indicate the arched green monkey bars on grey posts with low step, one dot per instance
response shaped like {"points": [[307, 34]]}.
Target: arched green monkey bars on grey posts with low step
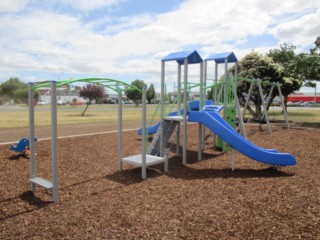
{"points": [[52, 185]]}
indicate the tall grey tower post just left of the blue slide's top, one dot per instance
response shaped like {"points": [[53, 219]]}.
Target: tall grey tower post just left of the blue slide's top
{"points": [[185, 110]]}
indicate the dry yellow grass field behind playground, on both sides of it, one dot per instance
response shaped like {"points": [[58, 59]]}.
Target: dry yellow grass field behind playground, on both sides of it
{"points": [[18, 117]]}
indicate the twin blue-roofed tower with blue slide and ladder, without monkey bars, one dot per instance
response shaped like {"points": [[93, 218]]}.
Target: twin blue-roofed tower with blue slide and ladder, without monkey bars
{"points": [[207, 115]]}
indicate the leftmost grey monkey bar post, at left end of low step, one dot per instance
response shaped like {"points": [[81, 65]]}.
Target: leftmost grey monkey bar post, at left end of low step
{"points": [[31, 133]]}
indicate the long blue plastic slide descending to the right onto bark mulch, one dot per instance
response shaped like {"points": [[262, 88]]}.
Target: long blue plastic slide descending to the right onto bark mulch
{"points": [[216, 124]]}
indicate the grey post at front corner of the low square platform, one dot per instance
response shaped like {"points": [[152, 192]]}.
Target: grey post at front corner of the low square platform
{"points": [[144, 141]]}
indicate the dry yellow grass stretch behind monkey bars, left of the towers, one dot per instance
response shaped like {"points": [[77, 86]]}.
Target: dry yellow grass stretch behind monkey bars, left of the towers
{"points": [[19, 117]]}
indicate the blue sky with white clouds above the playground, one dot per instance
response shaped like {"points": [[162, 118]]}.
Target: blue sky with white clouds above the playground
{"points": [[126, 39]]}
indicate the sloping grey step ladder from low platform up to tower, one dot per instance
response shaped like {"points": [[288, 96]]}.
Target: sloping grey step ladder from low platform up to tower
{"points": [[168, 127]]}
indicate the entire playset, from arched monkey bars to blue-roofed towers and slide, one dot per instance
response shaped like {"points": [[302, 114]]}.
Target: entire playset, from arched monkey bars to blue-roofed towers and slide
{"points": [[204, 113]]}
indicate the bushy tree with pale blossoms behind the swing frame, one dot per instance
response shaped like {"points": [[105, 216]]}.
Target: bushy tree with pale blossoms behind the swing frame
{"points": [[257, 66]]}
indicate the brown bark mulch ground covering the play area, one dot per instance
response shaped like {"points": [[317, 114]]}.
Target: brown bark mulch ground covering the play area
{"points": [[199, 200]]}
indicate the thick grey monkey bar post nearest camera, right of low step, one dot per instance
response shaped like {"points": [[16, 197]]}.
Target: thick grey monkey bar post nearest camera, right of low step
{"points": [[54, 142]]}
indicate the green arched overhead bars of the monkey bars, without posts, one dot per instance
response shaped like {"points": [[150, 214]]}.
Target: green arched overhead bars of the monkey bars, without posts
{"points": [[99, 81]]}
